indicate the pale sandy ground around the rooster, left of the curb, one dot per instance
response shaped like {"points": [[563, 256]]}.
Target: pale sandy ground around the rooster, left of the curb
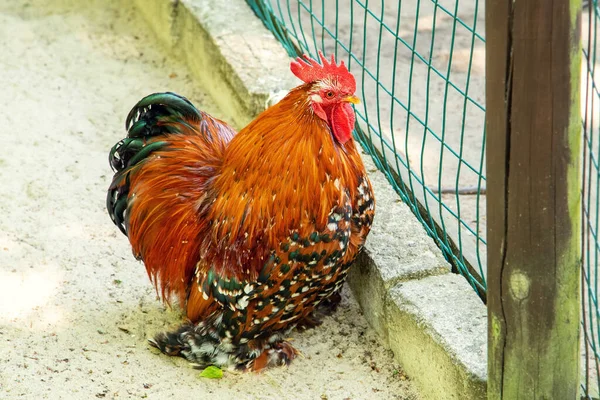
{"points": [[75, 307]]}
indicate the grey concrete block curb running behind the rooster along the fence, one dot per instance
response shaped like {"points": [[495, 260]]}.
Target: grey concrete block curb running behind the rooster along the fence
{"points": [[431, 319]]}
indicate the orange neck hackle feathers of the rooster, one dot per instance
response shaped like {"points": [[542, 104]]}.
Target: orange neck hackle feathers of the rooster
{"points": [[283, 172]]}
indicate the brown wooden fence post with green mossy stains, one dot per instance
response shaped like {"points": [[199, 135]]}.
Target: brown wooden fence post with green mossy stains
{"points": [[533, 198]]}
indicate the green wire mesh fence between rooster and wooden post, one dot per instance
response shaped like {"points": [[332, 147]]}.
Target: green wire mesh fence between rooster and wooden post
{"points": [[420, 71]]}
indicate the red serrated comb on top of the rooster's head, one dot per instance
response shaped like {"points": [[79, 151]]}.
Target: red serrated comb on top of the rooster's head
{"points": [[309, 70]]}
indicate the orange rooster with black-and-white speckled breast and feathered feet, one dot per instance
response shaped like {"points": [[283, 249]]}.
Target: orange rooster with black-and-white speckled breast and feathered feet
{"points": [[252, 232]]}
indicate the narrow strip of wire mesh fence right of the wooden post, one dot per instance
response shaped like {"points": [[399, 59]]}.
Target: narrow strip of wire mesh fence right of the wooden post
{"points": [[590, 97]]}
